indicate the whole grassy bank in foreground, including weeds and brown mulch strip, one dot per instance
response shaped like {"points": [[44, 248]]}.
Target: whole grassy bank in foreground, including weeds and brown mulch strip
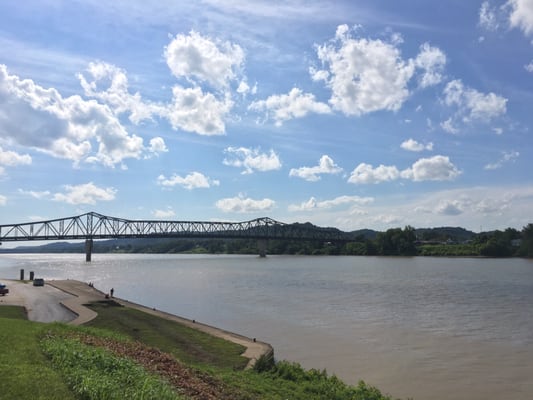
{"points": [[130, 354]]}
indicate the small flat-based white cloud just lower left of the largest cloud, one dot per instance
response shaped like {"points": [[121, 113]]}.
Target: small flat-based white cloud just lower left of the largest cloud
{"points": [[285, 107]]}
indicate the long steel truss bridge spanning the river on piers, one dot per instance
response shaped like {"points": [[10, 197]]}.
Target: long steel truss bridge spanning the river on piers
{"points": [[92, 226]]}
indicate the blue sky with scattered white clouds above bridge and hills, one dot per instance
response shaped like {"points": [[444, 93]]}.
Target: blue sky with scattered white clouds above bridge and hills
{"points": [[350, 114]]}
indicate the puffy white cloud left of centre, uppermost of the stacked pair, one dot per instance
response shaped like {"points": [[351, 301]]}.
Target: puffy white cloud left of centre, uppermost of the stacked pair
{"points": [[202, 59]]}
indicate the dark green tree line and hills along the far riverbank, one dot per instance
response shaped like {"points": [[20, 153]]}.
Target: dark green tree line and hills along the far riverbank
{"points": [[405, 241]]}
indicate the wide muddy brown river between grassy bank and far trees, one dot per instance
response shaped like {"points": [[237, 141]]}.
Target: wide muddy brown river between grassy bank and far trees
{"points": [[423, 328]]}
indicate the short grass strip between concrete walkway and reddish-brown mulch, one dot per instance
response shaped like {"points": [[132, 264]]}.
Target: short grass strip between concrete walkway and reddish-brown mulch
{"points": [[188, 345]]}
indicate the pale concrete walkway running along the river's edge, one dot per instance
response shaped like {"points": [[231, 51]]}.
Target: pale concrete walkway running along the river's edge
{"points": [[83, 294]]}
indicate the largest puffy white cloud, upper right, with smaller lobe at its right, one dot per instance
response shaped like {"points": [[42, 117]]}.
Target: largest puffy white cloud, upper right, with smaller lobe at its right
{"points": [[367, 75]]}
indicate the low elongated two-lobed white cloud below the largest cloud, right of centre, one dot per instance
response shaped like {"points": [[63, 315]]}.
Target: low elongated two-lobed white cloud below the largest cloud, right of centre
{"points": [[436, 168]]}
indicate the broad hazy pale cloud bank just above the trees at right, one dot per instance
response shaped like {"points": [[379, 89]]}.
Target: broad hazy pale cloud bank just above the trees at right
{"points": [[495, 207]]}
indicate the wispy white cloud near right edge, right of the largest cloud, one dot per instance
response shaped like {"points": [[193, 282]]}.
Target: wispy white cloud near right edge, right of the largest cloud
{"points": [[471, 105]]}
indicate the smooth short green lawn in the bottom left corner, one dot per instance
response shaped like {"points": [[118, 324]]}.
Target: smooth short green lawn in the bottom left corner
{"points": [[25, 373]]}
